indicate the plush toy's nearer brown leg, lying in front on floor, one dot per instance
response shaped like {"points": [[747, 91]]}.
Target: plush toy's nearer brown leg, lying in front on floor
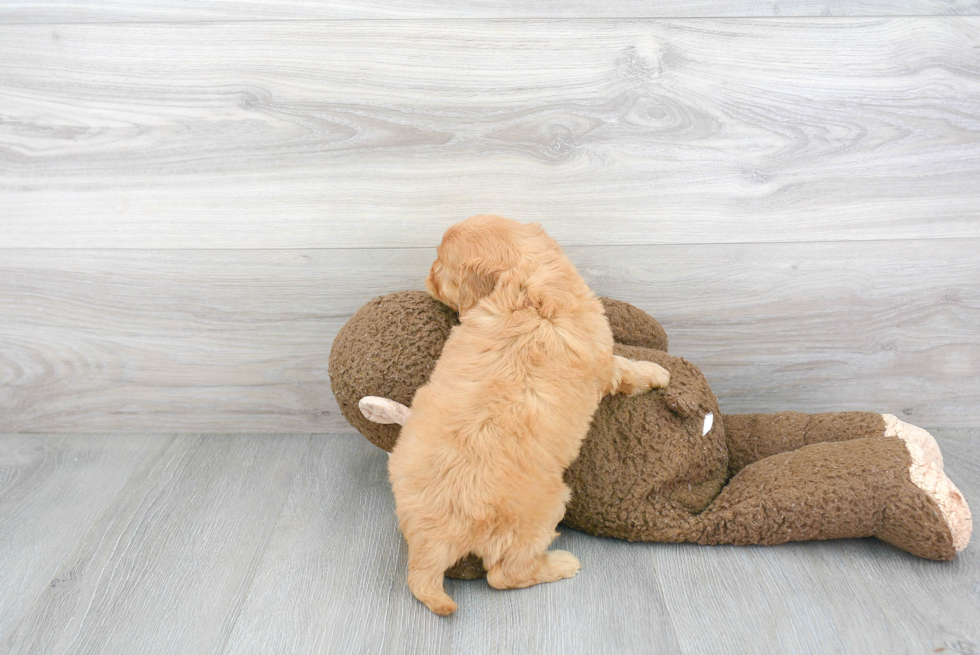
{"points": [[831, 490]]}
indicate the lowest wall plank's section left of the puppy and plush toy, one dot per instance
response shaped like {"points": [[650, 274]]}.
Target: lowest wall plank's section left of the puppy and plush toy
{"points": [[176, 340]]}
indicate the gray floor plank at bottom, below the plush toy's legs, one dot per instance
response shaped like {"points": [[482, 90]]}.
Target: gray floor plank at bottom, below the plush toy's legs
{"points": [[797, 598]]}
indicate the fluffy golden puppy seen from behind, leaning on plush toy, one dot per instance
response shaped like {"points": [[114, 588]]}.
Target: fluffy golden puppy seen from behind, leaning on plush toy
{"points": [[479, 463]]}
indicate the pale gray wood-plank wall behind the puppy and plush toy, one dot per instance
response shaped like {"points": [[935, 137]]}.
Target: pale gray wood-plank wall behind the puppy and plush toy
{"points": [[194, 196]]}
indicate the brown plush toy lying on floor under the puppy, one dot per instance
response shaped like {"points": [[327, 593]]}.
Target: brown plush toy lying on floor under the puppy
{"points": [[667, 465]]}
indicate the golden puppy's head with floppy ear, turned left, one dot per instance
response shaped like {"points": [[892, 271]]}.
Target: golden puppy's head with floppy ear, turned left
{"points": [[473, 256]]}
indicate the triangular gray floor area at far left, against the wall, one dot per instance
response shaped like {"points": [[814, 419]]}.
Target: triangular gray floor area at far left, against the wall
{"points": [[52, 490]]}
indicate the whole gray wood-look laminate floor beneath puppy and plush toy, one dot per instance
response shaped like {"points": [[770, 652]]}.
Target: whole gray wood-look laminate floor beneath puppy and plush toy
{"points": [[288, 544]]}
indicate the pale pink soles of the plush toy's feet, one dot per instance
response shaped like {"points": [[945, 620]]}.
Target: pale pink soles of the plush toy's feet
{"points": [[926, 473]]}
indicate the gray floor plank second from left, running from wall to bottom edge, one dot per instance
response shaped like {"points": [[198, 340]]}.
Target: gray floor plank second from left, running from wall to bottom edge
{"points": [[167, 566]]}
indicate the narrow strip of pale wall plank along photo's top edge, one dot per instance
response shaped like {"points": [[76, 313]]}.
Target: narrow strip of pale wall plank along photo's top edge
{"points": [[65, 11]]}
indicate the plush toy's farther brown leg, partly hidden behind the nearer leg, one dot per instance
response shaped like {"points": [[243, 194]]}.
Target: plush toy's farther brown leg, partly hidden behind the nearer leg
{"points": [[752, 437]]}
